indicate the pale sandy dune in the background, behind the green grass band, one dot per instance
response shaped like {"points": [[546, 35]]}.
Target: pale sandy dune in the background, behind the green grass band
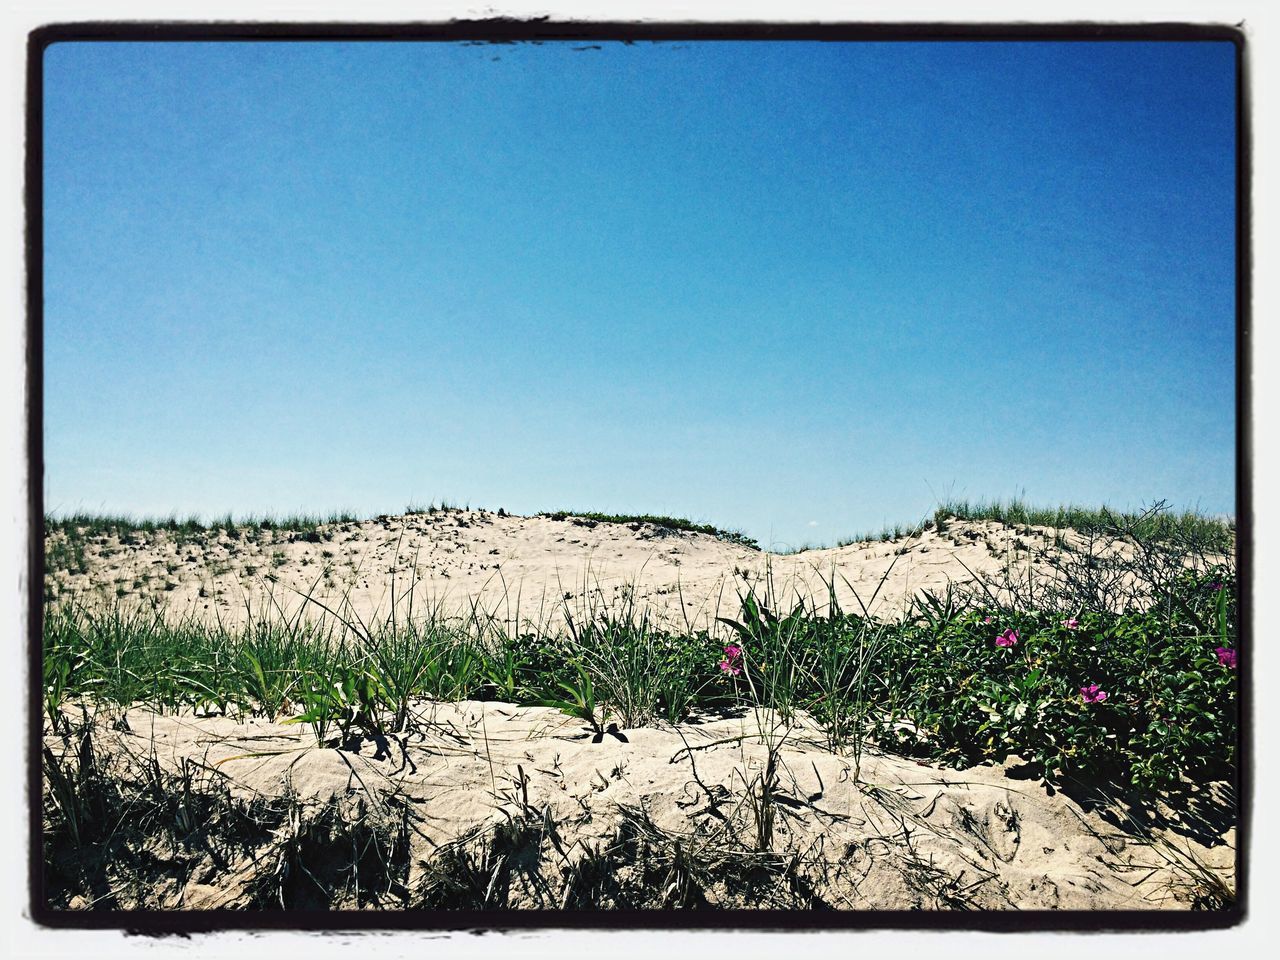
{"points": [[523, 569]]}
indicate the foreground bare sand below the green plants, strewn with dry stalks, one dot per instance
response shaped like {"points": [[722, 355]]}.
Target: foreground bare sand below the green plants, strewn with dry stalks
{"points": [[881, 834]]}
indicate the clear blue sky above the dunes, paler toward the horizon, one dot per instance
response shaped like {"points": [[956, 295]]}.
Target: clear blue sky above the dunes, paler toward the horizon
{"points": [[793, 289]]}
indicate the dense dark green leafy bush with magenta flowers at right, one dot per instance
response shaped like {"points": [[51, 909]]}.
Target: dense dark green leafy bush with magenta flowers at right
{"points": [[1171, 711]]}
